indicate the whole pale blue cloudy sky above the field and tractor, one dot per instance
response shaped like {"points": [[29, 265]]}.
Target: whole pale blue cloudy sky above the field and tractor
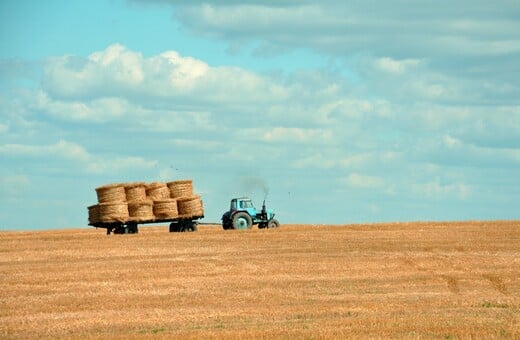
{"points": [[336, 112]]}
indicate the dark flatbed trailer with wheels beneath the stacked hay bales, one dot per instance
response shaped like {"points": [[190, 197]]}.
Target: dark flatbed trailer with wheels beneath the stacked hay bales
{"points": [[178, 224]]}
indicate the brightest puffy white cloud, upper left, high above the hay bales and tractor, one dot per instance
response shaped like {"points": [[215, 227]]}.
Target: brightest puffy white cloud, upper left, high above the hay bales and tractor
{"points": [[120, 73]]}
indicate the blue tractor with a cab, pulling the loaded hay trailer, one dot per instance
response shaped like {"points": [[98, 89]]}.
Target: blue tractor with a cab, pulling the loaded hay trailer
{"points": [[243, 215]]}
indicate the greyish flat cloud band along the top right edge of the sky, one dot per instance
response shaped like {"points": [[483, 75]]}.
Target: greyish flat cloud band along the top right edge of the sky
{"points": [[391, 29]]}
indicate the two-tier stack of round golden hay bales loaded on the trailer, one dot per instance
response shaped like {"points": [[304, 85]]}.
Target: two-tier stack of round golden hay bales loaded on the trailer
{"points": [[141, 202]]}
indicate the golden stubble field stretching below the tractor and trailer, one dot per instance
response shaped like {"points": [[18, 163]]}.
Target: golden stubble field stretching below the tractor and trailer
{"points": [[400, 280]]}
